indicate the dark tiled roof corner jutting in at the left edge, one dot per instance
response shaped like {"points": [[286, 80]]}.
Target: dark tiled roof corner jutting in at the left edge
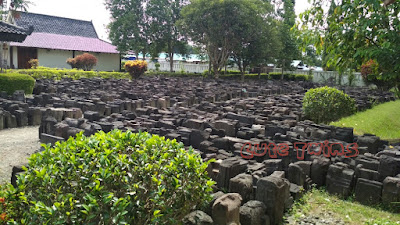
{"points": [[9, 32]]}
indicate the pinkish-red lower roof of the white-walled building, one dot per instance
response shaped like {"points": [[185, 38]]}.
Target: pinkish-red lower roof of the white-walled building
{"points": [[64, 42]]}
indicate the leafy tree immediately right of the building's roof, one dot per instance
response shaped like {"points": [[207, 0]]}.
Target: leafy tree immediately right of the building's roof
{"points": [[129, 25]]}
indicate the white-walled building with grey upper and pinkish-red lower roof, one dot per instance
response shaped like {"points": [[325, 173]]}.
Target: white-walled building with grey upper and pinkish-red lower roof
{"points": [[55, 39]]}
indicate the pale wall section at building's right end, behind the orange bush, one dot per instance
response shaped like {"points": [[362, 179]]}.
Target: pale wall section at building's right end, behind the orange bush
{"points": [[105, 61]]}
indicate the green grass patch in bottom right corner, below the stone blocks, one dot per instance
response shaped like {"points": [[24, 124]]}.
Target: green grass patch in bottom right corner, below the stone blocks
{"points": [[319, 201]]}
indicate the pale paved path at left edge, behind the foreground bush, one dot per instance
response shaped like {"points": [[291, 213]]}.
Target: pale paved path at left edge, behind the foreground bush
{"points": [[16, 145]]}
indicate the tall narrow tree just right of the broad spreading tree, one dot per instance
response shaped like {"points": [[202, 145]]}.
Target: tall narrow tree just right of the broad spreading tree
{"points": [[289, 50]]}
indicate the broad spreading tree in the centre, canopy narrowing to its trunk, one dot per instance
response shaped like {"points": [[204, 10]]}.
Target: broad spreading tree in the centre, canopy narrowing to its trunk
{"points": [[216, 25]]}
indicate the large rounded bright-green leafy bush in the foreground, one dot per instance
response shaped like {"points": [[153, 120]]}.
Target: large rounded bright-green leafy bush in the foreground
{"points": [[114, 178]]}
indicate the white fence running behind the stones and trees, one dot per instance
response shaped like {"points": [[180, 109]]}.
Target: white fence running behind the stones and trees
{"points": [[328, 77]]}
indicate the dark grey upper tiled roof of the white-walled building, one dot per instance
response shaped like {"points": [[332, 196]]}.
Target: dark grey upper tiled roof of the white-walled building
{"points": [[56, 25]]}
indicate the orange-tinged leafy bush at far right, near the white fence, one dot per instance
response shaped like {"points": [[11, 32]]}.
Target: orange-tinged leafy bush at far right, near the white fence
{"points": [[371, 74]]}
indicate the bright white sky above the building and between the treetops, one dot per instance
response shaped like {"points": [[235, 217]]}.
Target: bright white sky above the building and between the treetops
{"points": [[94, 10]]}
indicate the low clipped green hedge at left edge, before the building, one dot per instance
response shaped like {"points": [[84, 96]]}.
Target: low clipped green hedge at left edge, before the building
{"points": [[11, 82]]}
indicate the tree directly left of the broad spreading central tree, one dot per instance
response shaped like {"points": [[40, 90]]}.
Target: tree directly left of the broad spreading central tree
{"points": [[164, 15]]}
